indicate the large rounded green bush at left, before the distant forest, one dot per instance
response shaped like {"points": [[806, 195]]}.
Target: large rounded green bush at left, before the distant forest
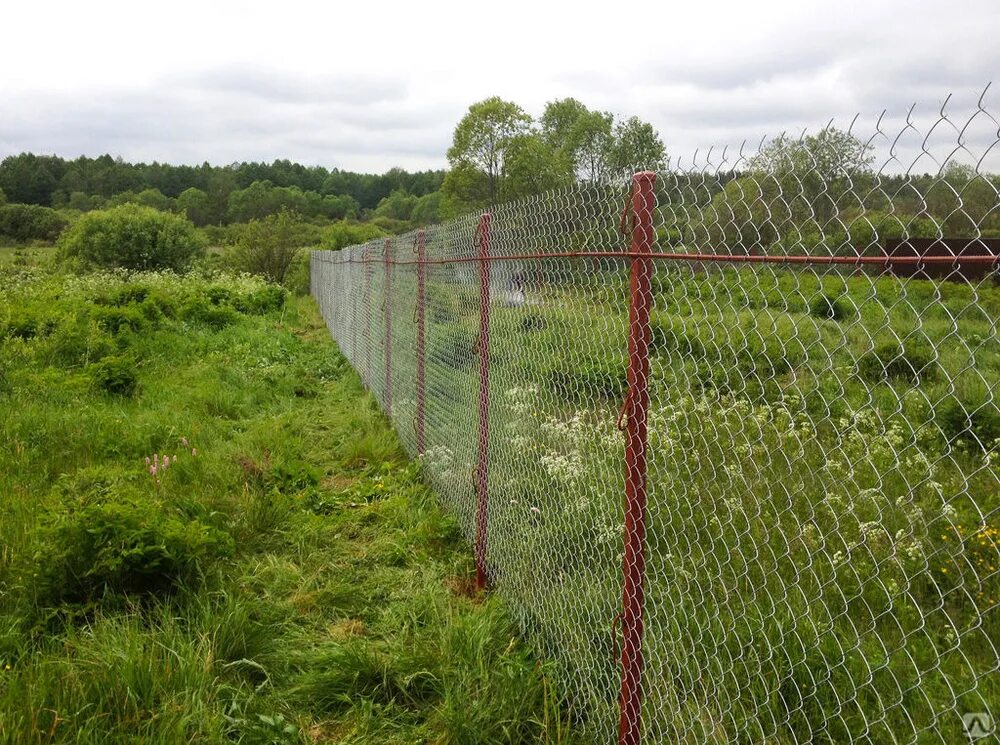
{"points": [[132, 237]]}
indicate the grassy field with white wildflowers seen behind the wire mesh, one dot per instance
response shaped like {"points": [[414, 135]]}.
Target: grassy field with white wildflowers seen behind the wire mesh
{"points": [[824, 522]]}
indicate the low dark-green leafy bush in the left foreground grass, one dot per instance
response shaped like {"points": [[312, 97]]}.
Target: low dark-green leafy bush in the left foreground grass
{"points": [[128, 546]]}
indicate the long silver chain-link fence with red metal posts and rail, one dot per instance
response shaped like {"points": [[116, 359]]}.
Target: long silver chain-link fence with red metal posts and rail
{"points": [[731, 454]]}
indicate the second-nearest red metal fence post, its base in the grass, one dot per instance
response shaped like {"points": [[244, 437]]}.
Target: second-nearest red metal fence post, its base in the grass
{"points": [[482, 467]]}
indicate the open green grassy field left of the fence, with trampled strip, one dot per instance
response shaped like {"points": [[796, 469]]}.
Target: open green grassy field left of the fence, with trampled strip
{"points": [[208, 533]]}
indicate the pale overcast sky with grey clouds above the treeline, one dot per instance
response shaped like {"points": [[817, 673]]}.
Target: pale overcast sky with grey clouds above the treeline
{"points": [[371, 85]]}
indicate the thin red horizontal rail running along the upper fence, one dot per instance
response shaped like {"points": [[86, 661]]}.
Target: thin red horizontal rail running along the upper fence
{"points": [[720, 258]]}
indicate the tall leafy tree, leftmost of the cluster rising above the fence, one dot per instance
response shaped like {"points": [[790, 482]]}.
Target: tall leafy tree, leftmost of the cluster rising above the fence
{"points": [[482, 140]]}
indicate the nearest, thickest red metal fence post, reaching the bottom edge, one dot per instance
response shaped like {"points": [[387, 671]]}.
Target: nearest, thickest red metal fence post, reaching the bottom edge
{"points": [[641, 207]]}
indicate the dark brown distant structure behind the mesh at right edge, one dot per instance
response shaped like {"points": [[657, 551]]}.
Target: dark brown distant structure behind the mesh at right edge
{"points": [[957, 271]]}
